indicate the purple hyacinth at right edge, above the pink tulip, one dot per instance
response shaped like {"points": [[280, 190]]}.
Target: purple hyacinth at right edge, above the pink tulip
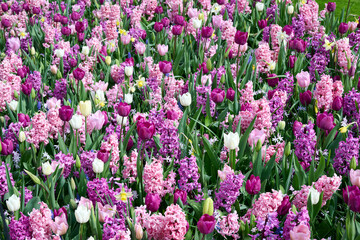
{"points": [[343, 155]]}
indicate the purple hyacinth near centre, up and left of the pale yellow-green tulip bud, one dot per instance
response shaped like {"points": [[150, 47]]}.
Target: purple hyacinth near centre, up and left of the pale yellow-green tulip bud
{"points": [[189, 176]]}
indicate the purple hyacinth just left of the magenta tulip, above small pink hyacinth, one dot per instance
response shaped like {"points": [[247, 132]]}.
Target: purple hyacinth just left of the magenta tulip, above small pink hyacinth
{"points": [[228, 191]]}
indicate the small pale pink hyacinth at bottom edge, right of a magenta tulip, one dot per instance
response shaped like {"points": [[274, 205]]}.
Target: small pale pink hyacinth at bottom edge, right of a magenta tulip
{"points": [[229, 226]]}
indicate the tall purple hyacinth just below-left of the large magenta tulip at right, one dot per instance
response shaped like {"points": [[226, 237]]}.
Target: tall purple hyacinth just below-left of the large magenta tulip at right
{"points": [[305, 144]]}
